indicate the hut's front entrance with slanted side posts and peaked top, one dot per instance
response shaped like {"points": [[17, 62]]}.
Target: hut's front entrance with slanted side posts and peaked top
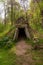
{"points": [[22, 30]]}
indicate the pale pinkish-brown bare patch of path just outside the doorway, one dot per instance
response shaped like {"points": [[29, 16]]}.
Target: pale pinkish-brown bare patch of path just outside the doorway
{"points": [[22, 47]]}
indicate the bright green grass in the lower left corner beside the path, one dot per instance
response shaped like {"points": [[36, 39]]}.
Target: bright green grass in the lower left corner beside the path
{"points": [[7, 58]]}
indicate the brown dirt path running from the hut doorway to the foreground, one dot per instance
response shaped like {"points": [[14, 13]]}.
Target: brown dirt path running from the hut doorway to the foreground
{"points": [[23, 53]]}
